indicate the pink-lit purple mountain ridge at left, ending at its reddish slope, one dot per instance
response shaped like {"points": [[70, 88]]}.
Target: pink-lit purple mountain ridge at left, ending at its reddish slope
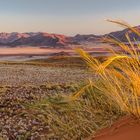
{"points": [[34, 39]]}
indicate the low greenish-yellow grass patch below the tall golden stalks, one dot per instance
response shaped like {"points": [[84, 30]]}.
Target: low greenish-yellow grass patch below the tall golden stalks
{"points": [[72, 117]]}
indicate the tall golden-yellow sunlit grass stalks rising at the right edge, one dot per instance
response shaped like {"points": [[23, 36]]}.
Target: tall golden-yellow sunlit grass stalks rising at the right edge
{"points": [[119, 75]]}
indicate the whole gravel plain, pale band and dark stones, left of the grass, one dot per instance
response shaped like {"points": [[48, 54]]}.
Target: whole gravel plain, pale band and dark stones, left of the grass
{"points": [[23, 84]]}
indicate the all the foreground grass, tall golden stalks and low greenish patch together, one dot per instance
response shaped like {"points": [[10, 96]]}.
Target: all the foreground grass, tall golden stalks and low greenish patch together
{"points": [[112, 93]]}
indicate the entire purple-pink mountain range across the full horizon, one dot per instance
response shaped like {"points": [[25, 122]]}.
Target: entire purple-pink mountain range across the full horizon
{"points": [[56, 40]]}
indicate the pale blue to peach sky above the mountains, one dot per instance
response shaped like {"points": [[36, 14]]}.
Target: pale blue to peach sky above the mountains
{"points": [[67, 17]]}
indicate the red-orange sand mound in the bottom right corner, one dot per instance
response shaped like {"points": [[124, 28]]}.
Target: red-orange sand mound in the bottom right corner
{"points": [[127, 128]]}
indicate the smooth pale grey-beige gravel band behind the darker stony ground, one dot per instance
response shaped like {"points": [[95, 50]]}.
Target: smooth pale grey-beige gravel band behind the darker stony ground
{"points": [[16, 75]]}
